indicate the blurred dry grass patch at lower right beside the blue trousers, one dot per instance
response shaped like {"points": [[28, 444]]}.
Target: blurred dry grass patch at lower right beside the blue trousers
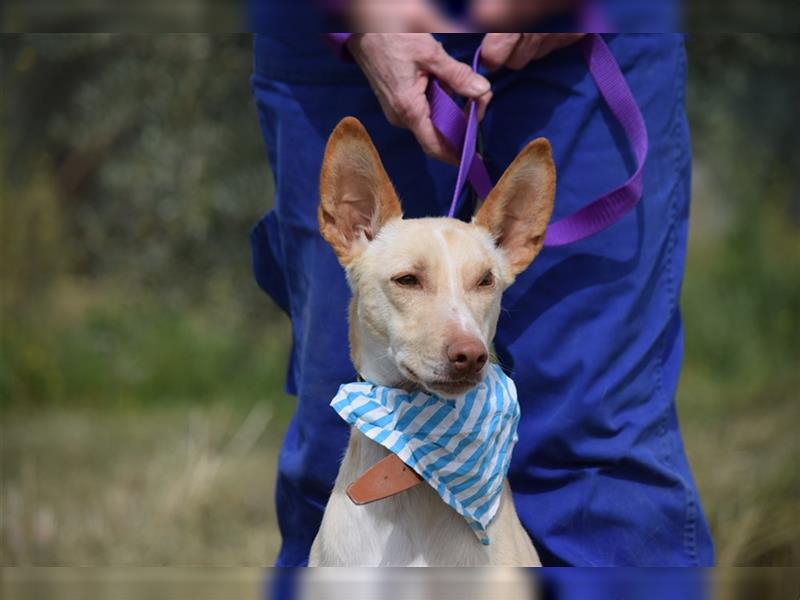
{"points": [[747, 467]]}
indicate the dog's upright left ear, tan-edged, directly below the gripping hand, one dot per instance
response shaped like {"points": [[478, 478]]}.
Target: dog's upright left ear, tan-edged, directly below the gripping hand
{"points": [[356, 196]]}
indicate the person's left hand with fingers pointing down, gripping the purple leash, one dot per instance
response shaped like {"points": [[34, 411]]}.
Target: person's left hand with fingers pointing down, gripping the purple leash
{"points": [[398, 68]]}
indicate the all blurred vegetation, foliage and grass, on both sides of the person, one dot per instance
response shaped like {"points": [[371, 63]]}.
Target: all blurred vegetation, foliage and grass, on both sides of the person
{"points": [[141, 370]]}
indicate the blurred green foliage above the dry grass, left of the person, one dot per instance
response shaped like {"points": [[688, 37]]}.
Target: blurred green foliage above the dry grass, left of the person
{"points": [[132, 171]]}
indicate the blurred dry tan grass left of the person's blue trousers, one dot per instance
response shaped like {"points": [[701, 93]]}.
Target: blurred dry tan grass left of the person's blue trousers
{"points": [[177, 486]]}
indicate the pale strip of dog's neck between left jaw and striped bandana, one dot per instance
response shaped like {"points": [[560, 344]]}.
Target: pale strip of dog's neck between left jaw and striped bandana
{"points": [[371, 356]]}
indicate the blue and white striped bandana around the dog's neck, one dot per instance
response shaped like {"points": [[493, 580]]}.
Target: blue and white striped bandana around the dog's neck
{"points": [[460, 445]]}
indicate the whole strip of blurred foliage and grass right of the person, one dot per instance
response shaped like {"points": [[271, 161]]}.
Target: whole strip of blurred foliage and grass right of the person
{"points": [[738, 399]]}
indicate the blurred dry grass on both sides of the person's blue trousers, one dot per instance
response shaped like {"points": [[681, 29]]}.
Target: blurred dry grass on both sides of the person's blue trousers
{"points": [[194, 485]]}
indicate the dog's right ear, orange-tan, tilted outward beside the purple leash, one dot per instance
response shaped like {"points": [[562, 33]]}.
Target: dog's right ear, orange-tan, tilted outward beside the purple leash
{"points": [[517, 210]]}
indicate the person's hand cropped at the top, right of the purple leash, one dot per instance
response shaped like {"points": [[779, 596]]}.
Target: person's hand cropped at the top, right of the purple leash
{"points": [[516, 50]]}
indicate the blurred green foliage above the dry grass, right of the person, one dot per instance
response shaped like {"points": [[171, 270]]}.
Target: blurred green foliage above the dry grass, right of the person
{"points": [[741, 296]]}
